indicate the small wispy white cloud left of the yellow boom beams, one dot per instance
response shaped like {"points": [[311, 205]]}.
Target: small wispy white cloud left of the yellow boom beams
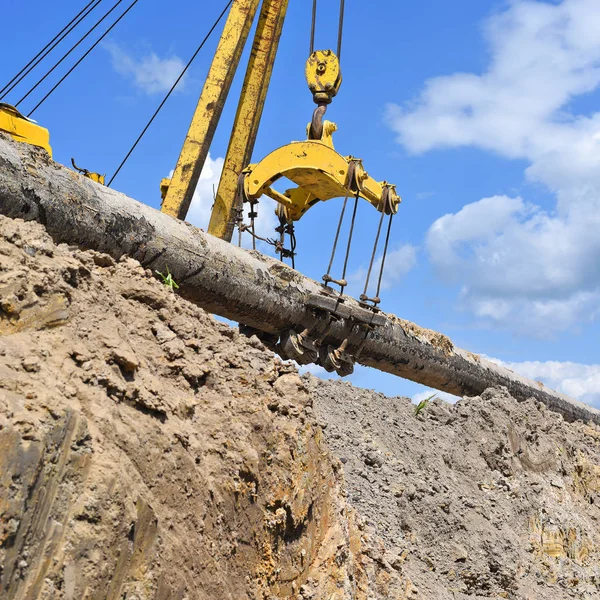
{"points": [[149, 73]]}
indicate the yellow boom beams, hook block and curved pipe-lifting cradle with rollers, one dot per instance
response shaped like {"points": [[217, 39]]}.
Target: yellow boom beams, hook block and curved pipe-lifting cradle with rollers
{"points": [[318, 170]]}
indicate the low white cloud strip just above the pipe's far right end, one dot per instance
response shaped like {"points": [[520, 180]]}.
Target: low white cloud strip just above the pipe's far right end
{"points": [[576, 380]]}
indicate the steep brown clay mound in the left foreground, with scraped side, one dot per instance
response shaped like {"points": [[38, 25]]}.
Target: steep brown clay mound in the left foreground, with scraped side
{"points": [[149, 452]]}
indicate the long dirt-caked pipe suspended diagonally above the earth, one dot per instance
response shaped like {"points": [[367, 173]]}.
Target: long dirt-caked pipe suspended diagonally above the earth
{"points": [[244, 286]]}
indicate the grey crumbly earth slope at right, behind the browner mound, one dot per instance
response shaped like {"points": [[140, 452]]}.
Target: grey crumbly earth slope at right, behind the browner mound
{"points": [[488, 498]]}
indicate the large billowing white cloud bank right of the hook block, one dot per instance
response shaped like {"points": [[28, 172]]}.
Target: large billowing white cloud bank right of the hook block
{"points": [[517, 263]]}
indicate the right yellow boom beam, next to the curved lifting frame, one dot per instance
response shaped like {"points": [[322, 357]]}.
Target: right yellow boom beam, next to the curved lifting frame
{"points": [[247, 118]]}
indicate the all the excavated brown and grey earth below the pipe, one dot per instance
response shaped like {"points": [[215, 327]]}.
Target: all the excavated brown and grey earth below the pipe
{"points": [[149, 452]]}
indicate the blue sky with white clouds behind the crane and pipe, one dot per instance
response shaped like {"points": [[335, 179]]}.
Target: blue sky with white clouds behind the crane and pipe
{"points": [[483, 113]]}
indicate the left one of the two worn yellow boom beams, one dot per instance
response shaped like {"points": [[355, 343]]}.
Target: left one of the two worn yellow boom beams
{"points": [[210, 105]]}
